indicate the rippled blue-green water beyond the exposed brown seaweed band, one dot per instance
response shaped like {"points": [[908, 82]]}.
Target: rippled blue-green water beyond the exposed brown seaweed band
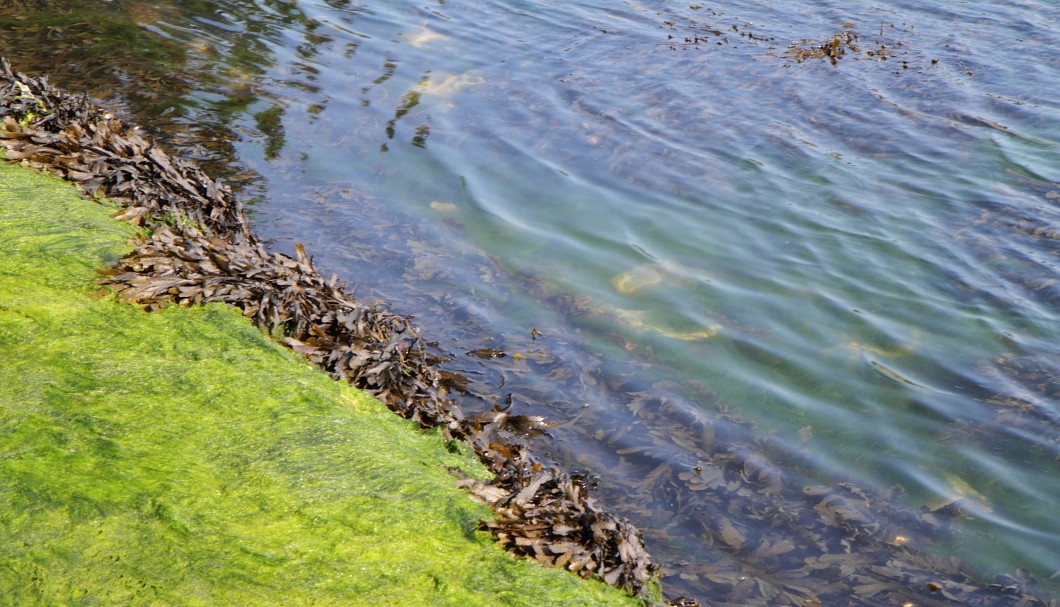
{"points": [[810, 245]]}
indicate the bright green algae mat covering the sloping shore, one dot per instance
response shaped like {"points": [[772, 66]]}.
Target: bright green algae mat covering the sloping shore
{"points": [[182, 458]]}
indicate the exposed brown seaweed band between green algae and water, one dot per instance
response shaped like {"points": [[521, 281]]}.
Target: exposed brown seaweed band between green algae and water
{"points": [[201, 249]]}
